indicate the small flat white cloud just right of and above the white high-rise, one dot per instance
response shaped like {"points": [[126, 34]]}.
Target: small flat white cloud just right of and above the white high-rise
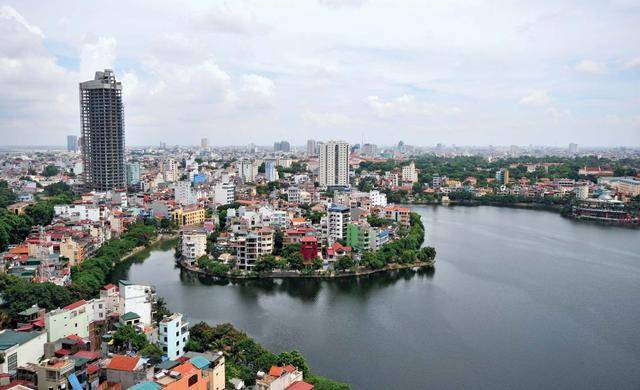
{"points": [[407, 105]]}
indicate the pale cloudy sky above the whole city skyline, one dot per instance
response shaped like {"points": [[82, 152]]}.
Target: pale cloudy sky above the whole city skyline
{"points": [[455, 72]]}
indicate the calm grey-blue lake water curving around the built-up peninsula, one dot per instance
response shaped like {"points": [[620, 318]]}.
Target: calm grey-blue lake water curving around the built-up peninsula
{"points": [[519, 299]]}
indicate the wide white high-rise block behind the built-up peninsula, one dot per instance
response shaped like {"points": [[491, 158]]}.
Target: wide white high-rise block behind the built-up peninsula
{"points": [[334, 164]]}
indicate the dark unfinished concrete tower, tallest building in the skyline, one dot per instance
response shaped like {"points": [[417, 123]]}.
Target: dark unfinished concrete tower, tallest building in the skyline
{"points": [[102, 122]]}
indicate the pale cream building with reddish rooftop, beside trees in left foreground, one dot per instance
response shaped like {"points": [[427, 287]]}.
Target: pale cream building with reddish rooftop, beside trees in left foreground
{"points": [[73, 319]]}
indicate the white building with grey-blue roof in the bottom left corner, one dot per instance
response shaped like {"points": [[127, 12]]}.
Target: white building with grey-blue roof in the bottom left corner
{"points": [[19, 348]]}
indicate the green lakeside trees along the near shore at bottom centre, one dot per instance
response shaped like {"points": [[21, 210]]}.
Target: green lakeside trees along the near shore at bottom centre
{"points": [[244, 356]]}
